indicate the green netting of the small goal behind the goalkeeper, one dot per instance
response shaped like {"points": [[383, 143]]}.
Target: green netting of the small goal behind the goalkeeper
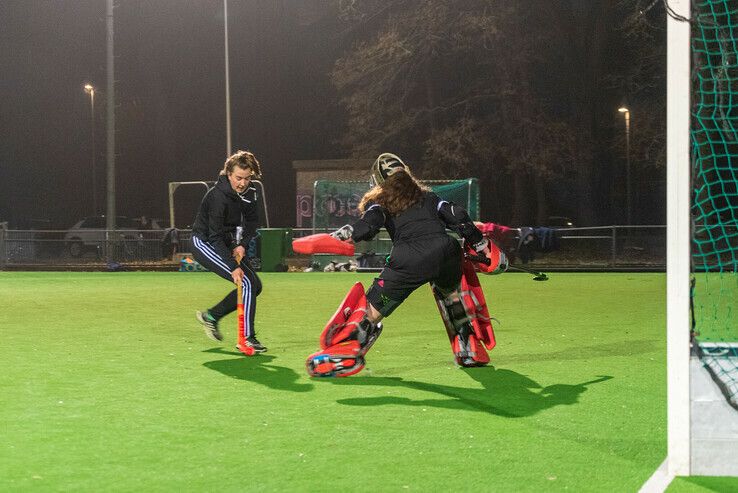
{"points": [[336, 202]]}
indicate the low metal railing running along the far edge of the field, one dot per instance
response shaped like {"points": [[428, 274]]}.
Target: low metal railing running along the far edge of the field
{"points": [[595, 248]]}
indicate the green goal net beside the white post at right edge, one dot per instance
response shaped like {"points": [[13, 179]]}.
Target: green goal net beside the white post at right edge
{"points": [[715, 185]]}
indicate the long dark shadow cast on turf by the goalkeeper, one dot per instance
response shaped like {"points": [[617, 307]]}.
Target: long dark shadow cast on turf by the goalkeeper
{"points": [[503, 393]]}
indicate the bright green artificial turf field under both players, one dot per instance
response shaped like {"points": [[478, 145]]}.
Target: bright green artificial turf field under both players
{"points": [[108, 383]]}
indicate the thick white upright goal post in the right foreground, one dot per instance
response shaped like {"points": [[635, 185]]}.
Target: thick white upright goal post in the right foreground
{"points": [[678, 251]]}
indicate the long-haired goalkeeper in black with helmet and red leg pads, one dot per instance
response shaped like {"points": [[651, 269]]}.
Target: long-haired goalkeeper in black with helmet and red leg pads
{"points": [[422, 252]]}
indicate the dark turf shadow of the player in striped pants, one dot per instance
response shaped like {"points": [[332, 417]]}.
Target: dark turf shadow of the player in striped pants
{"points": [[258, 369]]}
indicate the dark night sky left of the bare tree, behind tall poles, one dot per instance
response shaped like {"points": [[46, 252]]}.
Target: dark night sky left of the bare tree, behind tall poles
{"points": [[170, 115]]}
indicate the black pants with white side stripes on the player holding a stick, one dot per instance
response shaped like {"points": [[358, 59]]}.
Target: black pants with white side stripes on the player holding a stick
{"points": [[206, 255]]}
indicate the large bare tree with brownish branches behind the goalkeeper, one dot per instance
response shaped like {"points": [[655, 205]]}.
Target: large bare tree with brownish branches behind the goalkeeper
{"points": [[519, 94]]}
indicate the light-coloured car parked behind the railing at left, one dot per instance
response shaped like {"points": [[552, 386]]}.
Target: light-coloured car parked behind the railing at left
{"points": [[88, 234]]}
